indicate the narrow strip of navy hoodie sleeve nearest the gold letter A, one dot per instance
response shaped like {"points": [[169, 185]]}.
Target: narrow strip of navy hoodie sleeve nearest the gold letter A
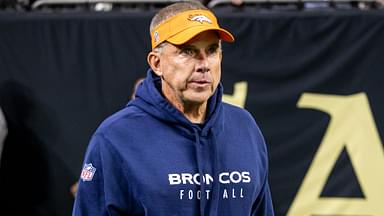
{"points": [[263, 204]]}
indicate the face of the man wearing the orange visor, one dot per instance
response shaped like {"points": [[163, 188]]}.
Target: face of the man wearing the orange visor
{"points": [[191, 72]]}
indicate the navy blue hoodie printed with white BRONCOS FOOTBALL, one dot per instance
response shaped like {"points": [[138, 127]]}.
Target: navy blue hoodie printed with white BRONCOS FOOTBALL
{"points": [[149, 159]]}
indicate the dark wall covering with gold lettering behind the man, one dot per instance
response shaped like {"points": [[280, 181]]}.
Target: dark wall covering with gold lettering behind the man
{"points": [[313, 83]]}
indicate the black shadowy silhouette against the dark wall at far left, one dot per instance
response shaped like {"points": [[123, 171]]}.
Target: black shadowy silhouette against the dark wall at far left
{"points": [[24, 175]]}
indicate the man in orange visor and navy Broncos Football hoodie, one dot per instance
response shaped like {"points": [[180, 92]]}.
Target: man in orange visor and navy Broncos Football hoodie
{"points": [[176, 149]]}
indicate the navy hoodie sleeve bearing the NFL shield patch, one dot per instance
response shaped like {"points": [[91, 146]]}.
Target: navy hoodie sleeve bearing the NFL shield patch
{"points": [[101, 188]]}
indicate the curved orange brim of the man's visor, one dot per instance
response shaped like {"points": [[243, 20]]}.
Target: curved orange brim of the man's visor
{"points": [[187, 34]]}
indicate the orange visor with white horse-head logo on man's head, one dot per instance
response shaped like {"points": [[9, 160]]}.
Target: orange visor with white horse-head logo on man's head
{"points": [[185, 25]]}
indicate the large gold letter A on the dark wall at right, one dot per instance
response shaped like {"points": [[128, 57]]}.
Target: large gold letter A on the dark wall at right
{"points": [[351, 126]]}
